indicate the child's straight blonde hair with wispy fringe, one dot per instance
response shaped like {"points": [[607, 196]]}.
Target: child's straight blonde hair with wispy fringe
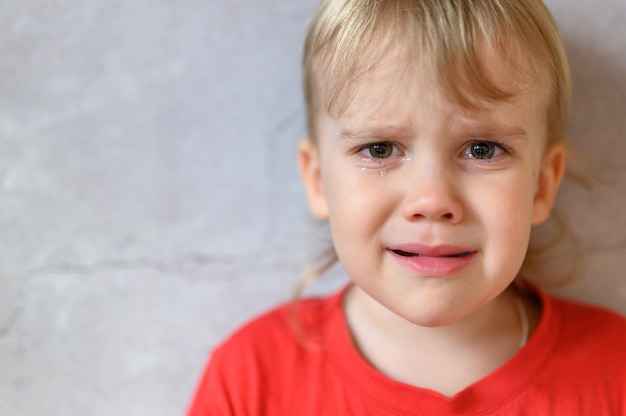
{"points": [[348, 37]]}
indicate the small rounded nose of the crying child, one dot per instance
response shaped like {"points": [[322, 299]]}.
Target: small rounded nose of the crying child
{"points": [[431, 196]]}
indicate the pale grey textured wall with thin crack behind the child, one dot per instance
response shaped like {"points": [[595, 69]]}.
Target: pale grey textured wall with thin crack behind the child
{"points": [[149, 199]]}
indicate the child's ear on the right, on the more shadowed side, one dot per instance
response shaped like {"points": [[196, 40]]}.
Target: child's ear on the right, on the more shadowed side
{"points": [[548, 181]]}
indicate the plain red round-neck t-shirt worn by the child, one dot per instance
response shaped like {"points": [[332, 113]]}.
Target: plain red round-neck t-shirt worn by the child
{"points": [[574, 364]]}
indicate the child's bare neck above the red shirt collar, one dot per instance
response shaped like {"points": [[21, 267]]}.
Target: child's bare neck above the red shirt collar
{"points": [[443, 358]]}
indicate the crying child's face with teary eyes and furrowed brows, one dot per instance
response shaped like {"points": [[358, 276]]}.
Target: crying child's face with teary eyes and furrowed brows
{"points": [[431, 204]]}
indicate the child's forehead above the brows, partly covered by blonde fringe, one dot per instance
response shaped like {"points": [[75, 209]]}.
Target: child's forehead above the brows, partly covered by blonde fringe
{"points": [[387, 78]]}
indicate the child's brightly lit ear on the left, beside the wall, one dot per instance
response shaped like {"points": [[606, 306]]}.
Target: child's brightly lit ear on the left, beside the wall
{"points": [[310, 171]]}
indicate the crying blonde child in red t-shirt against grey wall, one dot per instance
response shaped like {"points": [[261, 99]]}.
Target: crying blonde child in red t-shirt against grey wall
{"points": [[436, 143]]}
